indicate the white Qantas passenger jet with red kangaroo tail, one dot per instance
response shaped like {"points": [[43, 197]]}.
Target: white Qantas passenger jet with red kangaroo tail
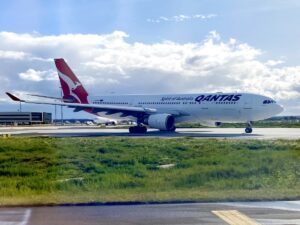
{"points": [[163, 111]]}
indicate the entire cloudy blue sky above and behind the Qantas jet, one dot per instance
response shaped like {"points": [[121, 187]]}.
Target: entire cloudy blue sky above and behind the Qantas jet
{"points": [[143, 46]]}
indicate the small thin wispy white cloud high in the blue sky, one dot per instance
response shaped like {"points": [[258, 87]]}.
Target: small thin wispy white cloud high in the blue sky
{"points": [[181, 18]]}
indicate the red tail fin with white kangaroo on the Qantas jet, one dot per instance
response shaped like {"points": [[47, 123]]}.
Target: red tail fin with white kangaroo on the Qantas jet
{"points": [[71, 86]]}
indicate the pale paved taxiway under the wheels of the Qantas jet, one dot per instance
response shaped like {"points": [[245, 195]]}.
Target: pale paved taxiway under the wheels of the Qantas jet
{"points": [[233, 133]]}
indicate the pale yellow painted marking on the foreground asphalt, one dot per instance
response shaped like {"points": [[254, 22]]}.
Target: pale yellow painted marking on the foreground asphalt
{"points": [[234, 217]]}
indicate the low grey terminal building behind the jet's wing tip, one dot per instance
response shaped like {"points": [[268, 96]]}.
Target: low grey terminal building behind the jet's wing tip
{"points": [[25, 118]]}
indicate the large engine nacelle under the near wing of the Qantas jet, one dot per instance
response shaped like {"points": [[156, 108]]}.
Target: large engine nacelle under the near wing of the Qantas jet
{"points": [[161, 121]]}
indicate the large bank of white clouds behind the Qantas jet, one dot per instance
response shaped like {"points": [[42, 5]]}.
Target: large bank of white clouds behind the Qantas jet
{"points": [[109, 63]]}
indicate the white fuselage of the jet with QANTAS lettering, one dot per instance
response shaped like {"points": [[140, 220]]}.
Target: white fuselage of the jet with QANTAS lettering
{"points": [[217, 107]]}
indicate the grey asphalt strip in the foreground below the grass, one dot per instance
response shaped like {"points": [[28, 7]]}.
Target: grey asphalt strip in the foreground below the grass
{"points": [[250, 213]]}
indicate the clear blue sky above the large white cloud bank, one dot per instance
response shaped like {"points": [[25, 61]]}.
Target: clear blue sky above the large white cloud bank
{"points": [[272, 25]]}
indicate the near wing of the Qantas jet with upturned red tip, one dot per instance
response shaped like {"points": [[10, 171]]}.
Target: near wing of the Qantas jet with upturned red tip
{"points": [[94, 108]]}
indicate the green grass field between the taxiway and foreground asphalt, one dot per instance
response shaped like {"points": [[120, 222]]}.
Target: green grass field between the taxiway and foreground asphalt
{"points": [[112, 169]]}
